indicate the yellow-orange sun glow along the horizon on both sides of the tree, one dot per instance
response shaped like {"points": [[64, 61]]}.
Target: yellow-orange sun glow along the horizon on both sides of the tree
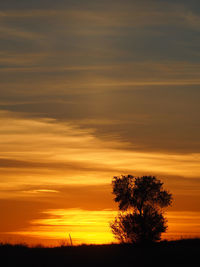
{"points": [[92, 227]]}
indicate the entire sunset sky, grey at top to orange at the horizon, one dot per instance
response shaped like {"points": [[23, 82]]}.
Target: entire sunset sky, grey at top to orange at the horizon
{"points": [[90, 90]]}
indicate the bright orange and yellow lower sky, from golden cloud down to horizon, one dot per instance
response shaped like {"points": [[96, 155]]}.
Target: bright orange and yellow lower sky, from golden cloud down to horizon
{"points": [[56, 180]]}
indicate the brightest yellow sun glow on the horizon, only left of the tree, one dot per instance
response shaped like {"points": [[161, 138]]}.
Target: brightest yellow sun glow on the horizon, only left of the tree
{"points": [[84, 226]]}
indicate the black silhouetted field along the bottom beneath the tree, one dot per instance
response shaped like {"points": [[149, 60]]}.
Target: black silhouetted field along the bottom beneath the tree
{"points": [[165, 253]]}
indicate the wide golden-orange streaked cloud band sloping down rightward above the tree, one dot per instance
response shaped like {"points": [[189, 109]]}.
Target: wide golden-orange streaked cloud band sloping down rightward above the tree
{"points": [[41, 151]]}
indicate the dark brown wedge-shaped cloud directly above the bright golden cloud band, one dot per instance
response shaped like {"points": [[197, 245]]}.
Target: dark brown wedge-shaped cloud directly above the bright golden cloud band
{"points": [[159, 119]]}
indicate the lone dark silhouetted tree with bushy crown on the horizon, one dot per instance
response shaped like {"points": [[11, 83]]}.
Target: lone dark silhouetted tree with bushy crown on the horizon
{"points": [[141, 202]]}
